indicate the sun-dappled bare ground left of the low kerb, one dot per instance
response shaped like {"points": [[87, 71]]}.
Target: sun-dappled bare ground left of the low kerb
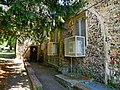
{"points": [[14, 75]]}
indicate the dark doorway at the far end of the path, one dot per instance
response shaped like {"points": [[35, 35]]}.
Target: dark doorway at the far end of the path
{"points": [[33, 53]]}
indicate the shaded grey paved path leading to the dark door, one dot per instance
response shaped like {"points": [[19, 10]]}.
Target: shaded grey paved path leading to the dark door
{"points": [[46, 75]]}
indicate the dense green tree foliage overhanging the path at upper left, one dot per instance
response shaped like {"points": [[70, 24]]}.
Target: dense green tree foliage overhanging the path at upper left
{"points": [[32, 18]]}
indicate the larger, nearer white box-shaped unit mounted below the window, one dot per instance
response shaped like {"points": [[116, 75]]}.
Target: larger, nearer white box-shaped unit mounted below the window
{"points": [[75, 46]]}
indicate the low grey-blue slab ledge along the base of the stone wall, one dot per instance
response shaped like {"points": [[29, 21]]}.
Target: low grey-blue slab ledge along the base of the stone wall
{"points": [[80, 84]]}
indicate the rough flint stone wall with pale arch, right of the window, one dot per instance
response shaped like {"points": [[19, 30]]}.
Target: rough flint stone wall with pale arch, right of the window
{"points": [[103, 40]]}
